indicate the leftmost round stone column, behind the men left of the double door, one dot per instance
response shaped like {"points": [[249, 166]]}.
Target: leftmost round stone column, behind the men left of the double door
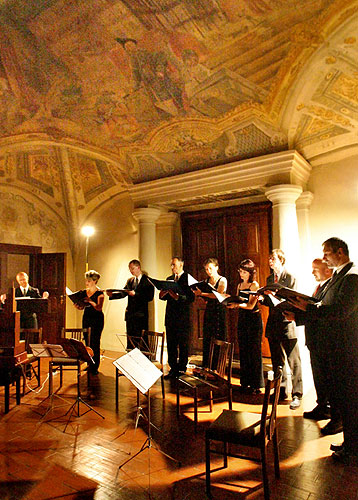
{"points": [[147, 218]]}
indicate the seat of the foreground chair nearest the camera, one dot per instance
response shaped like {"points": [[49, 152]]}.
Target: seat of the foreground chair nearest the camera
{"points": [[238, 427]]}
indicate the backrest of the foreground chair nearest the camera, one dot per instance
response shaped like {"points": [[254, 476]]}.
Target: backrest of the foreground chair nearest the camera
{"points": [[268, 419]]}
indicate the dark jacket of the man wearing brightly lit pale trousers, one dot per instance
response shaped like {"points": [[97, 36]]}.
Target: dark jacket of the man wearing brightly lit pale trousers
{"points": [[277, 326]]}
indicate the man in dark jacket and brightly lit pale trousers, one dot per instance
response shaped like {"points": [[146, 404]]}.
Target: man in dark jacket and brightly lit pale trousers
{"points": [[281, 333]]}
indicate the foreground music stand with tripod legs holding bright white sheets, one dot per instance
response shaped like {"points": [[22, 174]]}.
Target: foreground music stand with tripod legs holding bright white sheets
{"points": [[139, 370]]}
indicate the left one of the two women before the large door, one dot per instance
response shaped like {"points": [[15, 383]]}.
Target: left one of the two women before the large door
{"points": [[214, 317]]}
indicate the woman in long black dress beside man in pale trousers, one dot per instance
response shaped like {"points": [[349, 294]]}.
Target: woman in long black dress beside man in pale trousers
{"points": [[249, 330]]}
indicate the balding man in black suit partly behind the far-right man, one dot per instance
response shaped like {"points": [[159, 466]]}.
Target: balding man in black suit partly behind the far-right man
{"points": [[322, 410]]}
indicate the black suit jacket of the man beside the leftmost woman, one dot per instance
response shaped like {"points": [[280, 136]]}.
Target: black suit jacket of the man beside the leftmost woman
{"points": [[137, 306]]}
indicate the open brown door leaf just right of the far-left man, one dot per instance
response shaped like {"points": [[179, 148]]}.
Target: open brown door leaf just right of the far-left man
{"points": [[48, 273]]}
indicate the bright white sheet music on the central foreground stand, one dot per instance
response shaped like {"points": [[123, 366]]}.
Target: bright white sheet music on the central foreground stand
{"points": [[138, 369]]}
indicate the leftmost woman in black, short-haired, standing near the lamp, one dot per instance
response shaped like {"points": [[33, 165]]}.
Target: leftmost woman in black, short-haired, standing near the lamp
{"points": [[93, 316]]}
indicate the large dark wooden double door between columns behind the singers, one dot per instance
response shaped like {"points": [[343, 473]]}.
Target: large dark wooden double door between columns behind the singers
{"points": [[231, 235]]}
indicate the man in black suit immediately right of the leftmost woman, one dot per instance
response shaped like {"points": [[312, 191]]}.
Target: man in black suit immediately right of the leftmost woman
{"points": [[140, 292]]}
